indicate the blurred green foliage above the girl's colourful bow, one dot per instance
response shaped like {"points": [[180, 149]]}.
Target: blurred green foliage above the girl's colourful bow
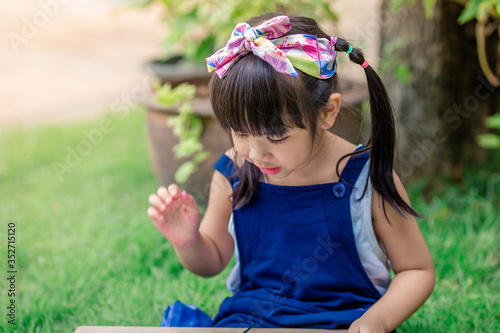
{"points": [[197, 28]]}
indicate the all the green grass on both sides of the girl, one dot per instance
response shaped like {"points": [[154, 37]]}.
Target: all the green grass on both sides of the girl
{"points": [[88, 255]]}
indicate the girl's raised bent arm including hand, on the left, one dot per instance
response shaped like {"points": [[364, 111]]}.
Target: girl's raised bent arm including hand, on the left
{"points": [[204, 249]]}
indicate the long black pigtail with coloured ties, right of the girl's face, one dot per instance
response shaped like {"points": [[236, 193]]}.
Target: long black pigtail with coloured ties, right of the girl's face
{"points": [[383, 135]]}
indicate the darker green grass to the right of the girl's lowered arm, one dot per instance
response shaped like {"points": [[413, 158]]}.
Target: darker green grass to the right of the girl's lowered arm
{"points": [[463, 232]]}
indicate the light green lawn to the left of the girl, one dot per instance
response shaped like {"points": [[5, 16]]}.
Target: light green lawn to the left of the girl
{"points": [[87, 254]]}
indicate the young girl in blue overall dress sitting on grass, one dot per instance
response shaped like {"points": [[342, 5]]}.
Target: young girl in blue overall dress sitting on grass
{"points": [[315, 222]]}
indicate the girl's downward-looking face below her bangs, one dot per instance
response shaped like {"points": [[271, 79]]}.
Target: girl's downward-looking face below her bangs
{"points": [[277, 157]]}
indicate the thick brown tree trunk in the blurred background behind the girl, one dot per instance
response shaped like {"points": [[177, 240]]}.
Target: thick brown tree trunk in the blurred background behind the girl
{"points": [[442, 106]]}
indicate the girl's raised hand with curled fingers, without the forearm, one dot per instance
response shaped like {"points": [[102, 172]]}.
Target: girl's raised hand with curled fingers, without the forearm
{"points": [[175, 214]]}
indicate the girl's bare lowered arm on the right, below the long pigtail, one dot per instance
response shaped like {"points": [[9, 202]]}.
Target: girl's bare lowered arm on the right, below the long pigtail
{"points": [[412, 264]]}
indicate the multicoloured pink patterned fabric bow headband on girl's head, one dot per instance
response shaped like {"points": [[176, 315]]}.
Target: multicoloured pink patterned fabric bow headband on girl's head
{"points": [[314, 56]]}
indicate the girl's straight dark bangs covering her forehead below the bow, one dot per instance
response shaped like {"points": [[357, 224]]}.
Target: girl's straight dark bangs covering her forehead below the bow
{"points": [[252, 99]]}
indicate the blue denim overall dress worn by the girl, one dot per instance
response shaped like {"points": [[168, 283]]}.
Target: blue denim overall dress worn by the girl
{"points": [[299, 263]]}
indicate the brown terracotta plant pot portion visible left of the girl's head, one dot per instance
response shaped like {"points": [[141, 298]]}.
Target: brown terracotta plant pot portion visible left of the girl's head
{"points": [[162, 140]]}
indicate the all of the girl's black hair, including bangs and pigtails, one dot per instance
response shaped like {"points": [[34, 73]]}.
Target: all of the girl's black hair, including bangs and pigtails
{"points": [[255, 99]]}
